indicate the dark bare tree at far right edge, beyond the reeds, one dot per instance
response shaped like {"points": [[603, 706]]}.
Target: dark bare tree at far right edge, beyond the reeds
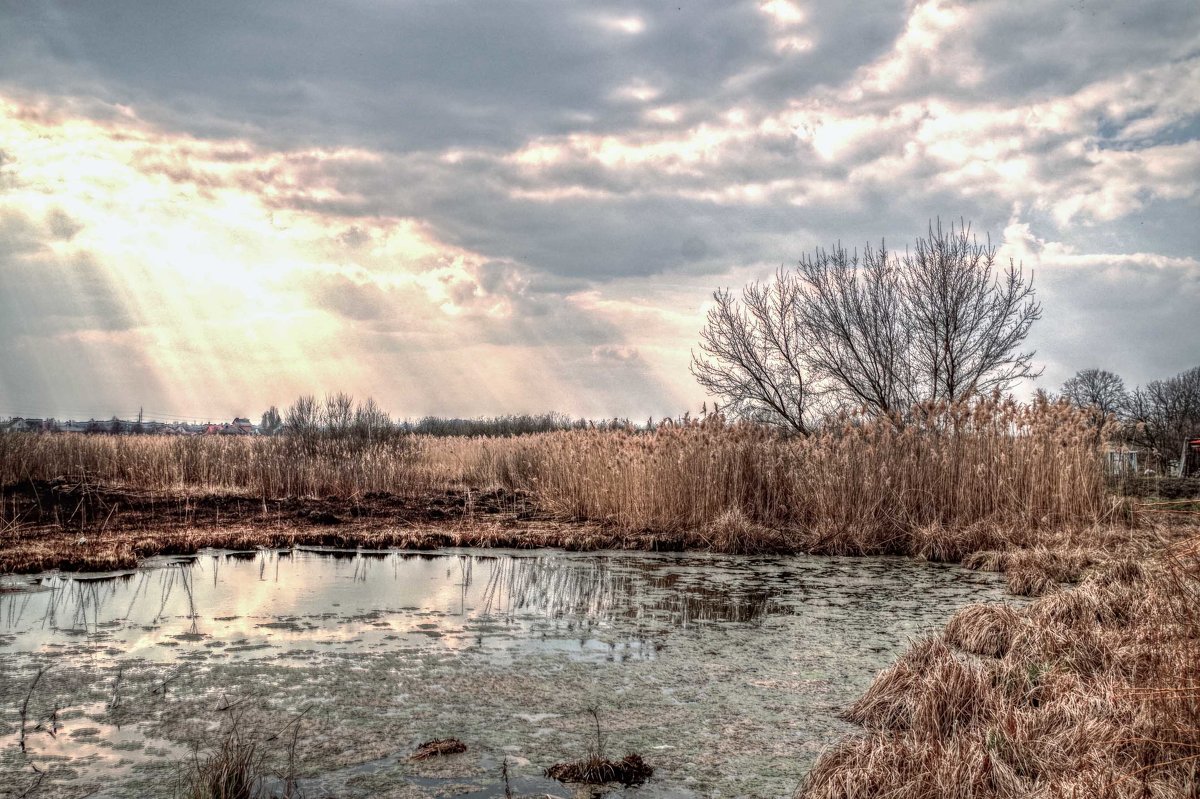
{"points": [[1166, 413]]}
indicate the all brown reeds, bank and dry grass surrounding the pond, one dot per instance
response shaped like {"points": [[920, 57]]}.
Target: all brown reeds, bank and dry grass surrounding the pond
{"points": [[1091, 692]]}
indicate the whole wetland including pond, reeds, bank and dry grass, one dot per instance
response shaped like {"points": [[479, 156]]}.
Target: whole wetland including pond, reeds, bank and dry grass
{"points": [[956, 606]]}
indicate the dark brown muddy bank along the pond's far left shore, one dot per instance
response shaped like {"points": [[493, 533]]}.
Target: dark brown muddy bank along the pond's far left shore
{"points": [[80, 527]]}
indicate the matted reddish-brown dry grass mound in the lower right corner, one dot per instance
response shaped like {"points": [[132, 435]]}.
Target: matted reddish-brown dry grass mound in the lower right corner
{"points": [[1093, 692]]}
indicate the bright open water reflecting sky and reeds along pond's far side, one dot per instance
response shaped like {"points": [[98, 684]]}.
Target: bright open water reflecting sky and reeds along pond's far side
{"points": [[610, 606]]}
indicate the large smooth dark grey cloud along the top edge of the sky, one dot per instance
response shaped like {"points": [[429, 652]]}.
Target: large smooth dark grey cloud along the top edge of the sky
{"points": [[418, 75]]}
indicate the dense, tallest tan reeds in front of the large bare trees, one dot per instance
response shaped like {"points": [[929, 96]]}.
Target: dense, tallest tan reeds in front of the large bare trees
{"points": [[873, 485]]}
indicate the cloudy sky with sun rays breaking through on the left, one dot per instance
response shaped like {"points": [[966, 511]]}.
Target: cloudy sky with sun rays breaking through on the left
{"points": [[515, 207]]}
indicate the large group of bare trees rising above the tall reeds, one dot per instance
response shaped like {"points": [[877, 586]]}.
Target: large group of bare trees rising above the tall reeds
{"points": [[880, 332]]}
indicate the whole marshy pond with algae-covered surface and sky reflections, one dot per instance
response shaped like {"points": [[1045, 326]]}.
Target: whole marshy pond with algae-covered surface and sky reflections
{"points": [[725, 674]]}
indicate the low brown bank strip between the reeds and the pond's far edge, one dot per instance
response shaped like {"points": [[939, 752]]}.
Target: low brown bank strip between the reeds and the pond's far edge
{"points": [[79, 526]]}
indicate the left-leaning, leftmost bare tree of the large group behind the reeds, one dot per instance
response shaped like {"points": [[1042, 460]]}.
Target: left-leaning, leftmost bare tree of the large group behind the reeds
{"points": [[754, 351]]}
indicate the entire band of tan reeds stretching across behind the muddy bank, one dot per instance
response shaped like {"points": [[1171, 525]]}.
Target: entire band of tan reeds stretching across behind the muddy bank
{"points": [[934, 485]]}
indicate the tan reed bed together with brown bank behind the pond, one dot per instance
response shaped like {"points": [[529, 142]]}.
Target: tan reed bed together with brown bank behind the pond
{"points": [[949, 483]]}
